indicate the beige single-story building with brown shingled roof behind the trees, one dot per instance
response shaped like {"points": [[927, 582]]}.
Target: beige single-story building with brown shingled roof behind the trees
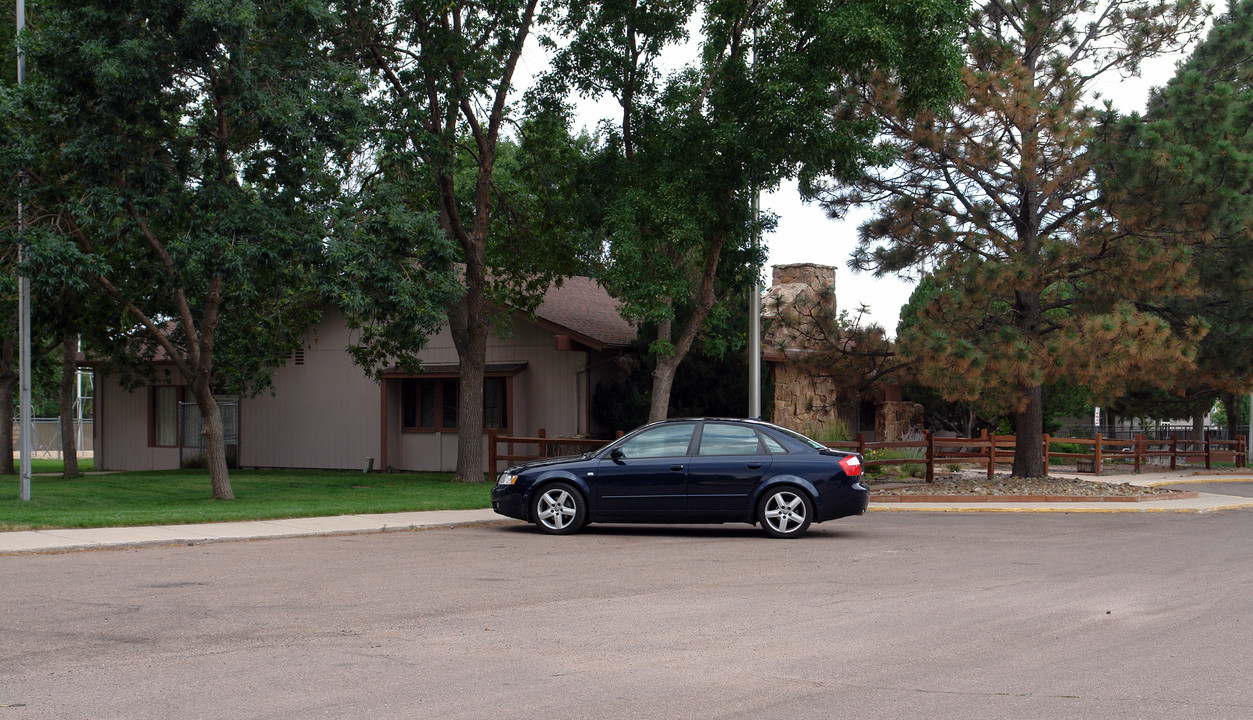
{"points": [[326, 413]]}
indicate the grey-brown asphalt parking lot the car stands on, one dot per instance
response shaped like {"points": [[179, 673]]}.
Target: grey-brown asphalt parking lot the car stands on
{"points": [[892, 615]]}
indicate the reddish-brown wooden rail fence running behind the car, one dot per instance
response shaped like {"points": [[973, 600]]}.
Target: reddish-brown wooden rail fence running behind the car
{"points": [[988, 450]]}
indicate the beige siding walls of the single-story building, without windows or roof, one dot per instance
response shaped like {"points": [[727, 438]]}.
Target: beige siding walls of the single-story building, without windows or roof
{"points": [[326, 413]]}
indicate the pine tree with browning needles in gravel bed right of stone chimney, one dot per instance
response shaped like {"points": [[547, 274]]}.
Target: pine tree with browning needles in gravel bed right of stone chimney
{"points": [[998, 200]]}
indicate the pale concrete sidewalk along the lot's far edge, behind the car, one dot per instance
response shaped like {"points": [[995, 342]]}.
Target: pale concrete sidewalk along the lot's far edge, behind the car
{"points": [[106, 538]]}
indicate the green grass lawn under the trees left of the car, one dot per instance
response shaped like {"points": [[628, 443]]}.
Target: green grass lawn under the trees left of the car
{"points": [[182, 496]]}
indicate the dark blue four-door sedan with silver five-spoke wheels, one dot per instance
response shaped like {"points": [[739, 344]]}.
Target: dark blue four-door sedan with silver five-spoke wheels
{"points": [[690, 471]]}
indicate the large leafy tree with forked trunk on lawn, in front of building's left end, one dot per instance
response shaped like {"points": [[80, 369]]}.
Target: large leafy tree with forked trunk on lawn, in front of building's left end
{"points": [[182, 158]]}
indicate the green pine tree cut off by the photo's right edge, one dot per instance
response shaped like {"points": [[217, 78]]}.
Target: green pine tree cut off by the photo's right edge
{"points": [[1185, 172]]}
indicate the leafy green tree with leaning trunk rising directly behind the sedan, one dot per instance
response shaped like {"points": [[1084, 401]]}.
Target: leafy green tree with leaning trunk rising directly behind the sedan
{"points": [[677, 171]]}
